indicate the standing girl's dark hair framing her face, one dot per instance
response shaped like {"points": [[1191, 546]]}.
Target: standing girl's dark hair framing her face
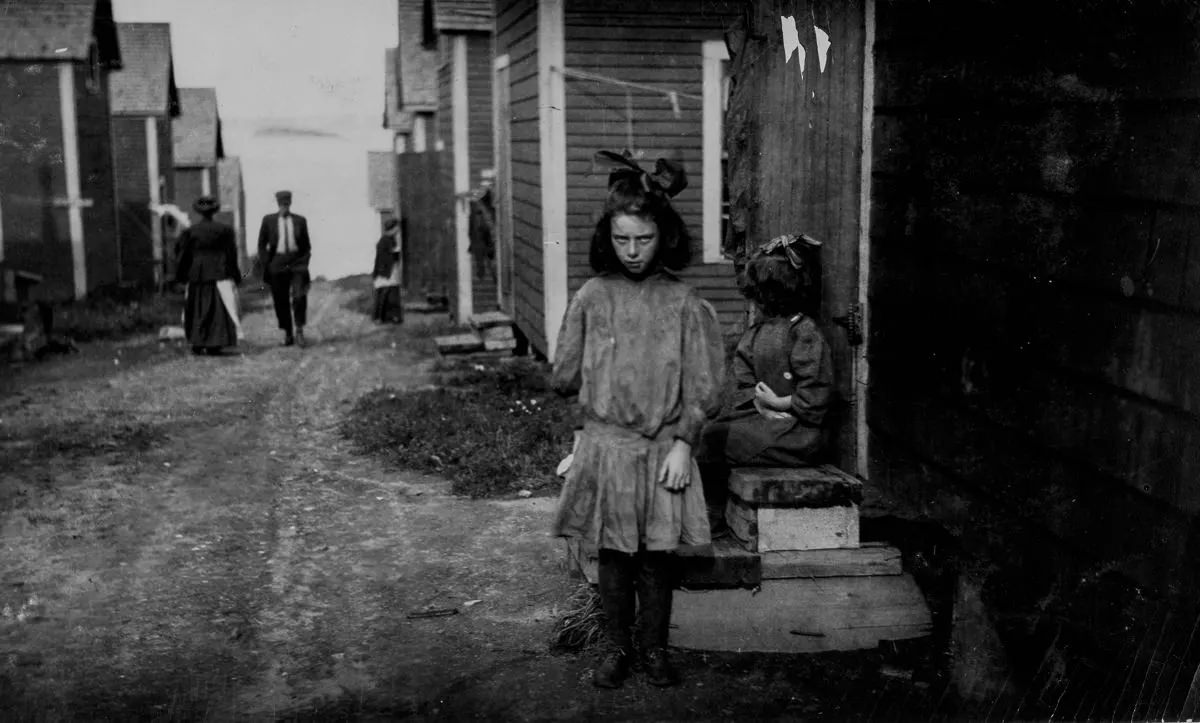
{"points": [[628, 196]]}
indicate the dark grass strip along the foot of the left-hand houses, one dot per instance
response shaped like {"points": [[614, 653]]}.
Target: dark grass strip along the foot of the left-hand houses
{"points": [[118, 315]]}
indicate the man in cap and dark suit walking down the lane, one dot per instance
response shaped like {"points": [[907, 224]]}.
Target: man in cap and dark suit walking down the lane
{"points": [[285, 249]]}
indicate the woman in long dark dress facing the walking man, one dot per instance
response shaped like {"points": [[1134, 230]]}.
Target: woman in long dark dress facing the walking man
{"points": [[208, 255]]}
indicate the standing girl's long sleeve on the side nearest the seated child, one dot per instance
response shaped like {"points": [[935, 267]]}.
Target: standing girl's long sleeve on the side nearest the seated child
{"points": [[704, 371]]}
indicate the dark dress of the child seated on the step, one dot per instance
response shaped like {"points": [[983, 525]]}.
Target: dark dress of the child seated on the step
{"points": [[791, 357]]}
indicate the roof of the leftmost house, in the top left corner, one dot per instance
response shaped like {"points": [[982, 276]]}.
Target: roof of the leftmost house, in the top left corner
{"points": [[58, 31]]}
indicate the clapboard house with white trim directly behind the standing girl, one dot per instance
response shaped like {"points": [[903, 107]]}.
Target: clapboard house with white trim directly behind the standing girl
{"points": [[574, 77]]}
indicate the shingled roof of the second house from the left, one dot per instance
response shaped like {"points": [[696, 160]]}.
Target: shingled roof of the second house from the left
{"points": [[146, 85]]}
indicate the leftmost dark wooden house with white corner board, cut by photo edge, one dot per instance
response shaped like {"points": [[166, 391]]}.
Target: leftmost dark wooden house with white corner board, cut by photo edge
{"points": [[58, 201]]}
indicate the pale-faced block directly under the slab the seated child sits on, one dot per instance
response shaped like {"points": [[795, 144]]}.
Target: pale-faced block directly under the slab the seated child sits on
{"points": [[769, 529]]}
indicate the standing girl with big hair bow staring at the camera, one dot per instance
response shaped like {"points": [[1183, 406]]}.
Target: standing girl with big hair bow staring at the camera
{"points": [[645, 355]]}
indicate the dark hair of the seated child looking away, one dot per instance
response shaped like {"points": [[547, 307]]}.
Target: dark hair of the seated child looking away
{"points": [[781, 289]]}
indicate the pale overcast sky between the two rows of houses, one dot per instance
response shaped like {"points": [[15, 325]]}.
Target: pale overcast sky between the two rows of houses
{"points": [[316, 65]]}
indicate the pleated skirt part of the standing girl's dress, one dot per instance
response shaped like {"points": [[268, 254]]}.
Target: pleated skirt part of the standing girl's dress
{"points": [[613, 497]]}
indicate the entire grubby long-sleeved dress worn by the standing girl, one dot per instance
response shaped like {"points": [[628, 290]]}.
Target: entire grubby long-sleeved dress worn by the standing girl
{"points": [[641, 385]]}
